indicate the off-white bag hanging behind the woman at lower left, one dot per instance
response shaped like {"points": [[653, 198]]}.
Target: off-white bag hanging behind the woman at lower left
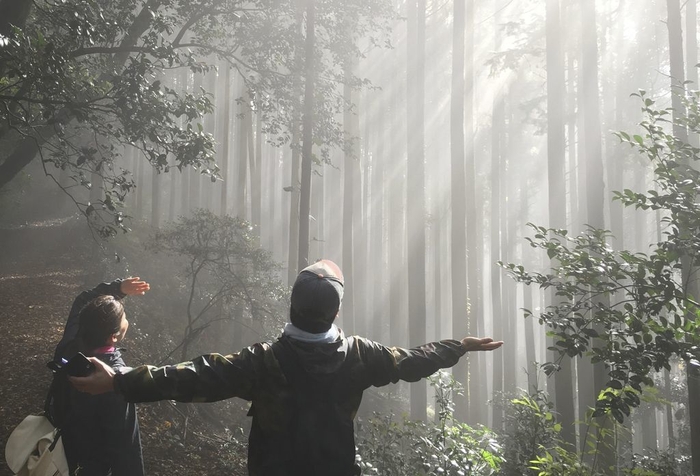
{"points": [[34, 450]]}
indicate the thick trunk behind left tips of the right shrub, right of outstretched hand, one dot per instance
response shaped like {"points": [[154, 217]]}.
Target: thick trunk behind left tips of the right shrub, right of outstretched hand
{"points": [[556, 181]]}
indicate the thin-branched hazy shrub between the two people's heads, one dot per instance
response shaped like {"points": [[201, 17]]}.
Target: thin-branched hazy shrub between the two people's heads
{"points": [[228, 276]]}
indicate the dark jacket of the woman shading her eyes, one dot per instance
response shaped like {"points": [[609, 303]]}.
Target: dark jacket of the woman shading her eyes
{"points": [[100, 432]]}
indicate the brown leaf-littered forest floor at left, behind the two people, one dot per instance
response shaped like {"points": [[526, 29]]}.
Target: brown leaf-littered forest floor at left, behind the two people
{"points": [[42, 268]]}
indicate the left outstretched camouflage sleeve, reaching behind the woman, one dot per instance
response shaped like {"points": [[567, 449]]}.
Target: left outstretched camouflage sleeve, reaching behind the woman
{"points": [[207, 378]]}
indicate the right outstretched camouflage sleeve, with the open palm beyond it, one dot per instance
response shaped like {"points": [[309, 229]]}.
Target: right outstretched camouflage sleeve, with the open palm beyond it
{"points": [[390, 364]]}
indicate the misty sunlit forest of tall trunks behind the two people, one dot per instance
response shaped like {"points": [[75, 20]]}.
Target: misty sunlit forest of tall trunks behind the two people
{"points": [[411, 142]]}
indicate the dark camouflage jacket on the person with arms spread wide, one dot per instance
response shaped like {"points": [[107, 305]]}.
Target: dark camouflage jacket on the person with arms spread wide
{"points": [[304, 396]]}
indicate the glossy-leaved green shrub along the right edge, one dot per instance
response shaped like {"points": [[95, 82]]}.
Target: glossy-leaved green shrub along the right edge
{"points": [[652, 317]]}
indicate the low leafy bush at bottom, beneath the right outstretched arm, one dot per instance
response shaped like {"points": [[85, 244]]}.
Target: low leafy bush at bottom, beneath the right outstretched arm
{"points": [[446, 447]]}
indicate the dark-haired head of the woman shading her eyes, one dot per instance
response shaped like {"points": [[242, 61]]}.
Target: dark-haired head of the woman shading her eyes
{"points": [[99, 319]]}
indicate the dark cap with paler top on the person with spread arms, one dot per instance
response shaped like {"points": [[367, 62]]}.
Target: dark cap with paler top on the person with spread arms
{"points": [[316, 296]]}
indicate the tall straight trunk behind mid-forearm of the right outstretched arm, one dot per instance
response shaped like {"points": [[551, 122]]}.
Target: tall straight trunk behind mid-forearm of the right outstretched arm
{"points": [[415, 197]]}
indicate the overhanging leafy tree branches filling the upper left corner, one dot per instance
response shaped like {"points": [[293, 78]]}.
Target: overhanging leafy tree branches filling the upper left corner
{"points": [[83, 81]]}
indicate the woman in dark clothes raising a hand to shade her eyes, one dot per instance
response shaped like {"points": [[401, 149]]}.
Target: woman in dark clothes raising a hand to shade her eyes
{"points": [[100, 433]]}
